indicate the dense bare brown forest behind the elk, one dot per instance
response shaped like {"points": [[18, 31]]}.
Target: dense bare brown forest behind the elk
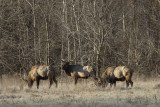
{"points": [[100, 33]]}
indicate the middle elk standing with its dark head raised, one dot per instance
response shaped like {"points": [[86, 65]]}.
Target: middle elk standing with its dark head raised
{"points": [[78, 71]]}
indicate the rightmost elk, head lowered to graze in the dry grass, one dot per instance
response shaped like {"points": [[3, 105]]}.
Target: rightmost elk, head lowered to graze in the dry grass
{"points": [[113, 74]]}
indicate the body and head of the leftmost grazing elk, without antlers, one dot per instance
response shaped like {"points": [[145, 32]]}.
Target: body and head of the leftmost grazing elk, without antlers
{"points": [[42, 72]]}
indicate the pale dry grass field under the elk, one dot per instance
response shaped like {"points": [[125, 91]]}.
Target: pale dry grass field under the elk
{"points": [[14, 93]]}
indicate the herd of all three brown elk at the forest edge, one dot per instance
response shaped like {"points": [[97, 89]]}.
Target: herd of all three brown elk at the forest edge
{"points": [[110, 76]]}
